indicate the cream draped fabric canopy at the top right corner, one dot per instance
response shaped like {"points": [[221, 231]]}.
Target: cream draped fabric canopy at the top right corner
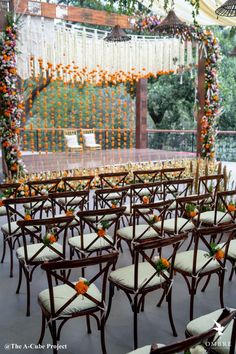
{"points": [[183, 10]]}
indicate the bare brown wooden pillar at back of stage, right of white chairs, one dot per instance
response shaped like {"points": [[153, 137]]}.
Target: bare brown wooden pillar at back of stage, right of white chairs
{"points": [[141, 114]]}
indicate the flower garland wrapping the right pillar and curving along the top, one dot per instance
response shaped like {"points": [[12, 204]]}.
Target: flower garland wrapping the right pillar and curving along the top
{"points": [[210, 46]]}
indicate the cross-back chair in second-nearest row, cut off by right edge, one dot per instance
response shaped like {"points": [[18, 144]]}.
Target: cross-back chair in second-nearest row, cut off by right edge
{"points": [[223, 212]]}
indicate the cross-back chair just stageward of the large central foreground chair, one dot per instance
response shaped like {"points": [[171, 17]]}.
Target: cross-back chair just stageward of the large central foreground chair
{"points": [[145, 217]]}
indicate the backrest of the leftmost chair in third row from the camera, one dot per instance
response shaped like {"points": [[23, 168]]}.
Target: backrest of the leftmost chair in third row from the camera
{"points": [[16, 211]]}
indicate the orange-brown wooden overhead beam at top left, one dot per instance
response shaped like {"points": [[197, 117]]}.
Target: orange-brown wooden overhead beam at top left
{"points": [[76, 14]]}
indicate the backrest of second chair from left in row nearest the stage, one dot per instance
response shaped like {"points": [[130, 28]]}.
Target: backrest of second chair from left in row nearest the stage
{"points": [[43, 187]]}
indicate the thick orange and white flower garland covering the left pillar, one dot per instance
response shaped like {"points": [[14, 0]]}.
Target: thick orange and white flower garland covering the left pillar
{"points": [[10, 99]]}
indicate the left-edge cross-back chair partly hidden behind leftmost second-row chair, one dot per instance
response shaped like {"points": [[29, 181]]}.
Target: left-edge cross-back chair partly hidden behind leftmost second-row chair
{"points": [[16, 211]]}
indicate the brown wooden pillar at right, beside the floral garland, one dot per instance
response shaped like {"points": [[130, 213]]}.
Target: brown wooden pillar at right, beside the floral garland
{"points": [[201, 98]]}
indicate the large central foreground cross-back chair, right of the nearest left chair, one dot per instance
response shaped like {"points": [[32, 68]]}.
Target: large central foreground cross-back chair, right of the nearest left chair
{"points": [[142, 277]]}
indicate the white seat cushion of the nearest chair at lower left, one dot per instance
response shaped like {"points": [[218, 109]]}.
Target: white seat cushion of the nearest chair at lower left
{"points": [[62, 293]]}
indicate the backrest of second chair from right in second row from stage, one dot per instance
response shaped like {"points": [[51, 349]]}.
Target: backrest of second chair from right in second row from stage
{"points": [[177, 188]]}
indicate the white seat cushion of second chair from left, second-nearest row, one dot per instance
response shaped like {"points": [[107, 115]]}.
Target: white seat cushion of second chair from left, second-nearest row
{"points": [[88, 238]]}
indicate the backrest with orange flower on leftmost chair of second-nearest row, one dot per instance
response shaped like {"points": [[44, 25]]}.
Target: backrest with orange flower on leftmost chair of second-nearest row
{"points": [[47, 232]]}
